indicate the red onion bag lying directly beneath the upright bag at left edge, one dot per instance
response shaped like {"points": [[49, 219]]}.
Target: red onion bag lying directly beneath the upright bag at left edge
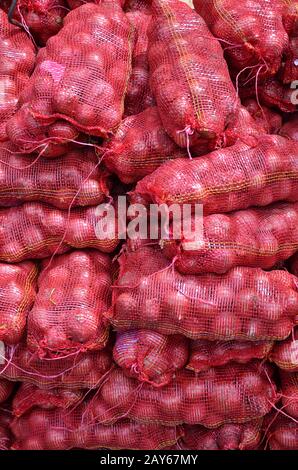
{"points": [[78, 371]]}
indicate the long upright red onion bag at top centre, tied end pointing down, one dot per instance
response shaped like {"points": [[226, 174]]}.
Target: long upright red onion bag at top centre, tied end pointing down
{"points": [[189, 76]]}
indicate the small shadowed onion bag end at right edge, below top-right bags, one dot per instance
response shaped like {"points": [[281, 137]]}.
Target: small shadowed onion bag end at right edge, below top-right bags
{"points": [[271, 93]]}
